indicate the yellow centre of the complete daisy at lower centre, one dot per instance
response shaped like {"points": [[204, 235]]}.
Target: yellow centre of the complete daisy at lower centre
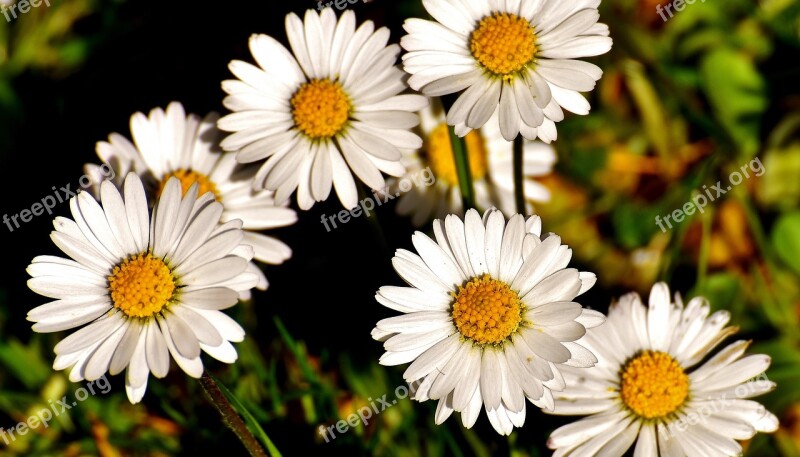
{"points": [[486, 310]]}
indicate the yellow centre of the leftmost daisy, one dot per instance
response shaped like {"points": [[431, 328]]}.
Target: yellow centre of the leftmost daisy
{"points": [[141, 286]]}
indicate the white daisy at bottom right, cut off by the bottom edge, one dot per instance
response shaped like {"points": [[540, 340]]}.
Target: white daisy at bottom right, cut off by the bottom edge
{"points": [[650, 389]]}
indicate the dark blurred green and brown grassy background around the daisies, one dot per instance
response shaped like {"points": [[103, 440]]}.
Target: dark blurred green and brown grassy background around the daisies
{"points": [[682, 104]]}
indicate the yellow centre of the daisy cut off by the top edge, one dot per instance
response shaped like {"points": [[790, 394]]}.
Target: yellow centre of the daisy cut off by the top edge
{"points": [[503, 43]]}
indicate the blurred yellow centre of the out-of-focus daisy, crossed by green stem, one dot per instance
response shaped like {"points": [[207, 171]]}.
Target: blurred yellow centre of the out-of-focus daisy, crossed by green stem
{"points": [[439, 152]]}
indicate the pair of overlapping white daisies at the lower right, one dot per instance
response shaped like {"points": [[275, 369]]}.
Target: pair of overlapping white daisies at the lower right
{"points": [[490, 320]]}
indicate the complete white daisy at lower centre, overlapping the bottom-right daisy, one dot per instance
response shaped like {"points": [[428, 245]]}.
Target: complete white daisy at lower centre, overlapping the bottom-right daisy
{"points": [[489, 318]]}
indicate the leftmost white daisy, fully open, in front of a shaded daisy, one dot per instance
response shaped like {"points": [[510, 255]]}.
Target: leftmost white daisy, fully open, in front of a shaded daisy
{"points": [[142, 287]]}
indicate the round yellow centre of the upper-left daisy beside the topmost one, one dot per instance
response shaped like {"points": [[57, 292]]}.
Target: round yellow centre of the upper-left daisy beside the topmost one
{"points": [[321, 108]]}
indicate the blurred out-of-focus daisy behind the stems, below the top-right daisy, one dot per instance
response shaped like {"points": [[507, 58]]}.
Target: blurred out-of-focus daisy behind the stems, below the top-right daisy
{"points": [[491, 160]]}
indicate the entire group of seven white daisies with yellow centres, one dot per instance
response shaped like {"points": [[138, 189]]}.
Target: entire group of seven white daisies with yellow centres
{"points": [[489, 317]]}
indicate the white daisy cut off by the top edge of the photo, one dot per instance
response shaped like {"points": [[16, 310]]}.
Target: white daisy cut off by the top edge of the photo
{"points": [[516, 58]]}
